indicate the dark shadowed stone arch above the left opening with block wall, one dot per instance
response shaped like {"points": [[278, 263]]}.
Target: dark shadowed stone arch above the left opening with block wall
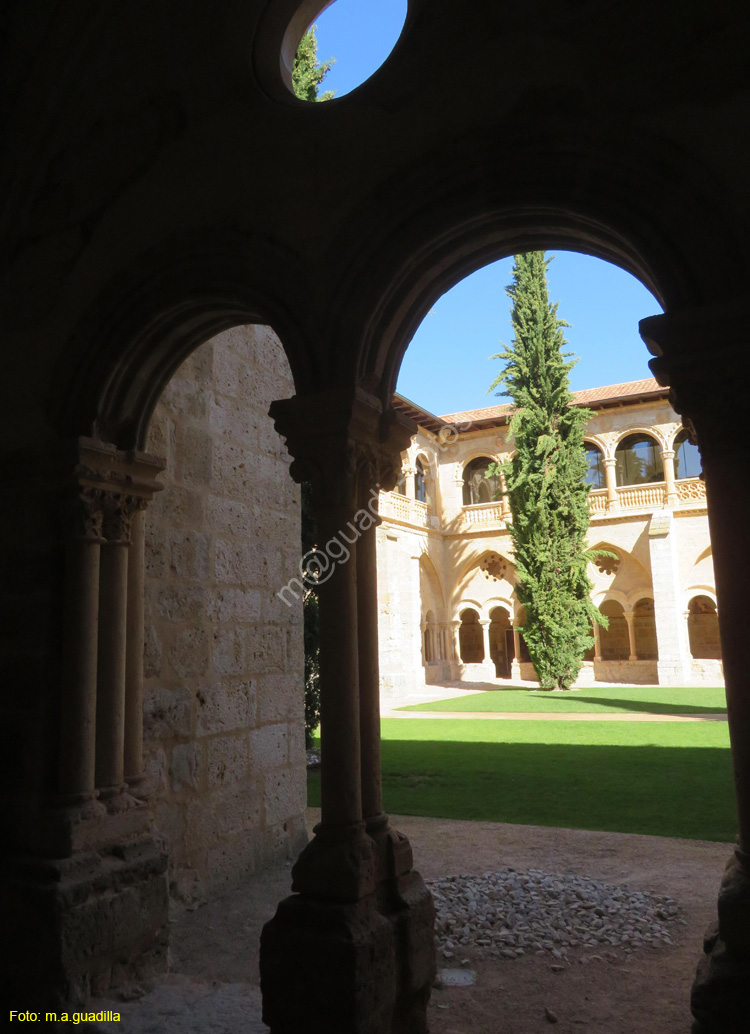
{"points": [[147, 322]]}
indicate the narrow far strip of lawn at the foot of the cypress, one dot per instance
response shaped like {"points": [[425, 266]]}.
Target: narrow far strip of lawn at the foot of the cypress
{"points": [[656, 701]]}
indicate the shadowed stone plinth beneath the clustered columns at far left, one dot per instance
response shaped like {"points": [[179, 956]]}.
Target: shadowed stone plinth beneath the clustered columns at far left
{"points": [[83, 925]]}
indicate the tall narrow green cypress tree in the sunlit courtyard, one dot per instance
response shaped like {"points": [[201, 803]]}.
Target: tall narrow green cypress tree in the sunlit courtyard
{"points": [[546, 482]]}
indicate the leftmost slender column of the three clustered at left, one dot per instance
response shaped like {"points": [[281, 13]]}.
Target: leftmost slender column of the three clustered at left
{"points": [[78, 716]]}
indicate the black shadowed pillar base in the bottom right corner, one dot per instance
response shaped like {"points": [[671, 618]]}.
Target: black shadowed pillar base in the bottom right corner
{"points": [[721, 997]]}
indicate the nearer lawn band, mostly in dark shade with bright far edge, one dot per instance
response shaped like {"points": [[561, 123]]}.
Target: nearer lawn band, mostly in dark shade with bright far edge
{"points": [[671, 779]]}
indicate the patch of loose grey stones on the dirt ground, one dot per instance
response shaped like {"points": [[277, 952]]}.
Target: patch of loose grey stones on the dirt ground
{"points": [[508, 915]]}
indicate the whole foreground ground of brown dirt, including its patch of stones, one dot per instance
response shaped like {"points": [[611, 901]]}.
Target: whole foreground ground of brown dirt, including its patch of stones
{"points": [[595, 987]]}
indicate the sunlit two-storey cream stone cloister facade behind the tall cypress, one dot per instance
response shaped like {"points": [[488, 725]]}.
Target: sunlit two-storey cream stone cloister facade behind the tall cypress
{"points": [[448, 610]]}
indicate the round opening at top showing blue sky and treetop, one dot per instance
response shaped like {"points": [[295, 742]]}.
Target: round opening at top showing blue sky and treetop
{"points": [[345, 47]]}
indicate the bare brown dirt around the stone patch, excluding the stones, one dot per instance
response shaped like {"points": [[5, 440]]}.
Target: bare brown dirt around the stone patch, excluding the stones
{"points": [[648, 994]]}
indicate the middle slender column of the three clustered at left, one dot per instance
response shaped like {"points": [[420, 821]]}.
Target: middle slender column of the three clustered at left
{"points": [[112, 652]]}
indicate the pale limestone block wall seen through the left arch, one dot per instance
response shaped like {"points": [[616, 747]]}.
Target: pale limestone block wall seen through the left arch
{"points": [[224, 700]]}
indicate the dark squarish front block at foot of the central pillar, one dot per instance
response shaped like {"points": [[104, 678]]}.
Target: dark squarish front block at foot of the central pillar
{"points": [[328, 966]]}
